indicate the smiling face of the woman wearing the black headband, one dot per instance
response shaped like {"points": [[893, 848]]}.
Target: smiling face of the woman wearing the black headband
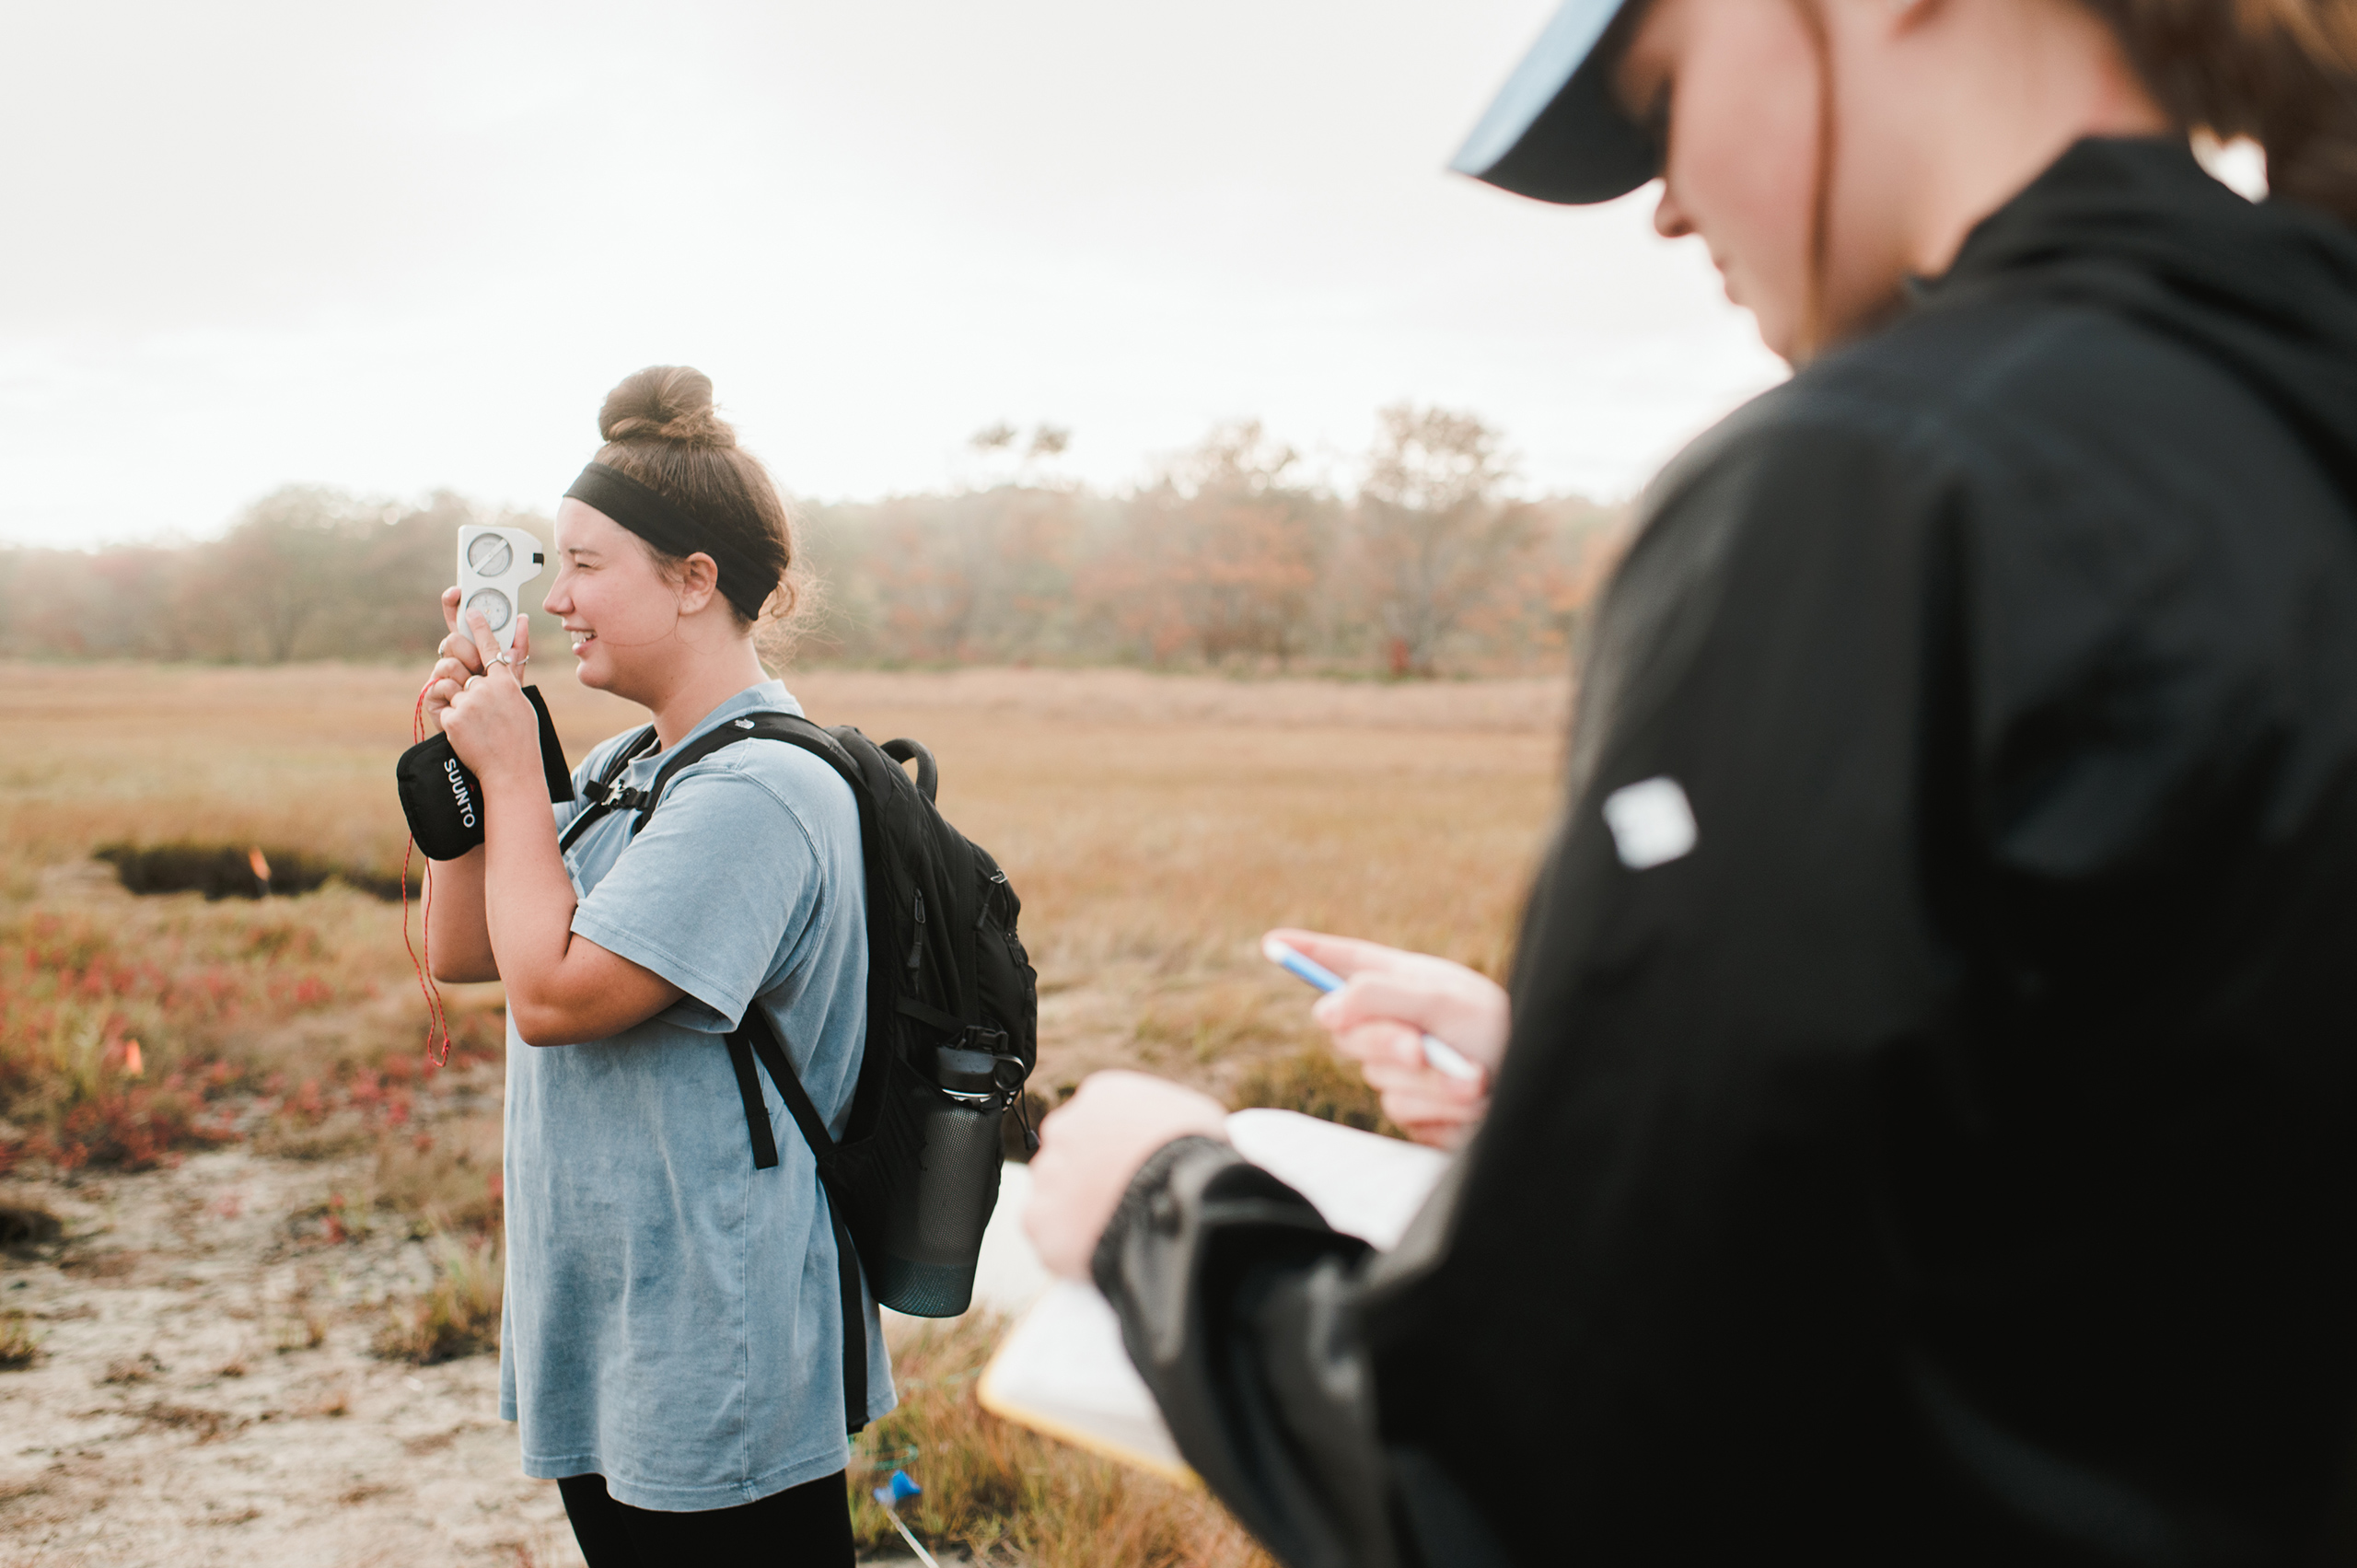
{"points": [[614, 600]]}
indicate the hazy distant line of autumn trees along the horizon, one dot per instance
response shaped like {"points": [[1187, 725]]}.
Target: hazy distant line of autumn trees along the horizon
{"points": [[1224, 560]]}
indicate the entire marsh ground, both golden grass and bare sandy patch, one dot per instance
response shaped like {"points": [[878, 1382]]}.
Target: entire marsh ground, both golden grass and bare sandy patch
{"points": [[270, 1211]]}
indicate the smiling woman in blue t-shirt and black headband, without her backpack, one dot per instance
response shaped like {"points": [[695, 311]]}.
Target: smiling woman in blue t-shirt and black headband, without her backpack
{"points": [[673, 1331]]}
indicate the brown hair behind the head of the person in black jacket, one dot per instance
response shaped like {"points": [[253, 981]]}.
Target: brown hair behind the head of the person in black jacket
{"points": [[2280, 72]]}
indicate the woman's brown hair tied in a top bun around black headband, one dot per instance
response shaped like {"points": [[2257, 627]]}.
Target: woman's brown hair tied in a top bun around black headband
{"points": [[663, 433]]}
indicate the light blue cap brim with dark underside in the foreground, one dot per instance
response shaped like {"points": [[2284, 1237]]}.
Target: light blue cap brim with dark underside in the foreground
{"points": [[1554, 131]]}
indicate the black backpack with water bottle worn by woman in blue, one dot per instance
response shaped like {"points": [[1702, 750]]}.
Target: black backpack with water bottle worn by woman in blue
{"points": [[953, 1029]]}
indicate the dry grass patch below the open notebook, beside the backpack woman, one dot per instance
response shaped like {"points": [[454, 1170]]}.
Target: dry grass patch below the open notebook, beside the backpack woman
{"points": [[1010, 1496]]}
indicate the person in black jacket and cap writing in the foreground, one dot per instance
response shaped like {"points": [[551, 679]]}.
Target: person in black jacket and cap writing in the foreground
{"points": [[1927, 1128]]}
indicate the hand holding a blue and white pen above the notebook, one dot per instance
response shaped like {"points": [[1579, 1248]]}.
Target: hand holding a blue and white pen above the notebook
{"points": [[1382, 1015]]}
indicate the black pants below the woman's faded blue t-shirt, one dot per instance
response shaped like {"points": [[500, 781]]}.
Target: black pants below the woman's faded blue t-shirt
{"points": [[805, 1527]]}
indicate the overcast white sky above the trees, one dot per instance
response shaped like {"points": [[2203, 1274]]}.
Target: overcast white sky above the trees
{"points": [[395, 249]]}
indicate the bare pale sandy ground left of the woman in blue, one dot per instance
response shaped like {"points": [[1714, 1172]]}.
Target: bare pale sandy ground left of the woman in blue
{"points": [[183, 1414]]}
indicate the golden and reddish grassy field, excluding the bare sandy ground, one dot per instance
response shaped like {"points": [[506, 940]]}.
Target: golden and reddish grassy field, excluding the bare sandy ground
{"points": [[1154, 826]]}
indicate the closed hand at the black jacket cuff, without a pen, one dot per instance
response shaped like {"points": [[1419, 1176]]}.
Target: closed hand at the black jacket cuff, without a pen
{"points": [[1092, 1147]]}
